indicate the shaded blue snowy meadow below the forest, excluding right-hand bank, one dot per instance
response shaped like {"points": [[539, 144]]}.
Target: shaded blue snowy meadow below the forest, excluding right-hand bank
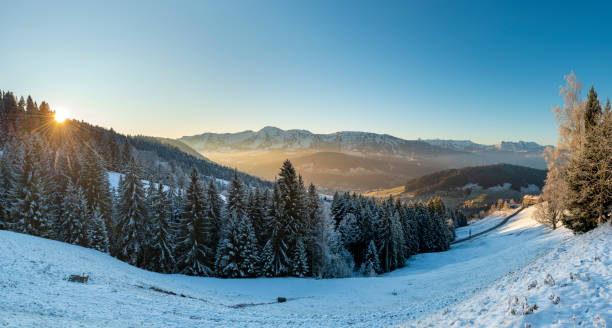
{"points": [[34, 292]]}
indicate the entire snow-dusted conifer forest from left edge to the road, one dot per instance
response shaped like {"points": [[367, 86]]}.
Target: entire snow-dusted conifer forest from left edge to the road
{"points": [[54, 183]]}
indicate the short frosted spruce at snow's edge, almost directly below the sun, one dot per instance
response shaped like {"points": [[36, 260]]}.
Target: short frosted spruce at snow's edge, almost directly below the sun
{"points": [[75, 217]]}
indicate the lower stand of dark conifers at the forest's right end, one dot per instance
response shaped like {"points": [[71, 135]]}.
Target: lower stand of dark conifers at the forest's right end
{"points": [[381, 235]]}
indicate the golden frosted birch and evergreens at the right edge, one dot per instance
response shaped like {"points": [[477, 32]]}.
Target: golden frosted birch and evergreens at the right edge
{"points": [[578, 189]]}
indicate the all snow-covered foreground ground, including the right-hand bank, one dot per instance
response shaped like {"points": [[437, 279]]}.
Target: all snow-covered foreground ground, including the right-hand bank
{"points": [[473, 279]]}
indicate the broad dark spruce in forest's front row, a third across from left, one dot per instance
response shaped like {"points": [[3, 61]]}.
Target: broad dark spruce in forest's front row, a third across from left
{"points": [[196, 253]]}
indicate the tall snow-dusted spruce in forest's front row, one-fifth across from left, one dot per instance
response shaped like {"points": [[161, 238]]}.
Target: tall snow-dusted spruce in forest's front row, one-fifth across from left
{"points": [[132, 217]]}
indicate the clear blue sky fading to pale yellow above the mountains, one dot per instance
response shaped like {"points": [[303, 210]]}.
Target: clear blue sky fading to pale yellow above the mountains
{"points": [[480, 70]]}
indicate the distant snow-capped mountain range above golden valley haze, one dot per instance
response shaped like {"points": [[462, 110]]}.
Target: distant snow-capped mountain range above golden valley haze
{"points": [[350, 160]]}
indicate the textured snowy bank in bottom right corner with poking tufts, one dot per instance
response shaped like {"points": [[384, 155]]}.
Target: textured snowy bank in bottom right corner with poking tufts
{"points": [[579, 293]]}
